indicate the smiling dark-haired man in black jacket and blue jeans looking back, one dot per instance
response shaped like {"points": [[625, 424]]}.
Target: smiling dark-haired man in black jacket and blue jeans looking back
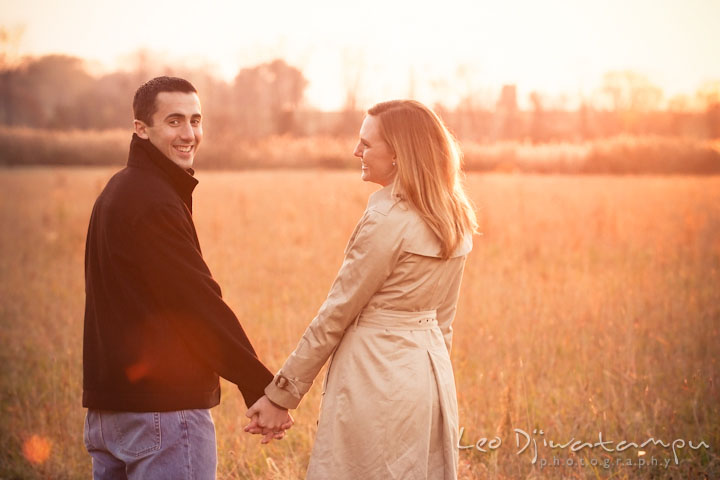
{"points": [[157, 331]]}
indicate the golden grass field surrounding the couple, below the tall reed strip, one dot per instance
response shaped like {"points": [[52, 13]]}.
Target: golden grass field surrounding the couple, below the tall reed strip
{"points": [[589, 304]]}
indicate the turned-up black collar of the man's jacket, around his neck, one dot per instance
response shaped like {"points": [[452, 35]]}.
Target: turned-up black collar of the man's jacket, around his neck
{"points": [[144, 154]]}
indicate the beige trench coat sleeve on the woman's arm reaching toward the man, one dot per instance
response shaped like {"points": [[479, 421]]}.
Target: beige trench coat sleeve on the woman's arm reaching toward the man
{"points": [[370, 257]]}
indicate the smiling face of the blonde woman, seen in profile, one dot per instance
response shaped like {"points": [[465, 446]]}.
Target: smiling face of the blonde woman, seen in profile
{"points": [[376, 158]]}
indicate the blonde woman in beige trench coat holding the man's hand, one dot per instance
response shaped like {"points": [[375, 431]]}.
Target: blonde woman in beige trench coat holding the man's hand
{"points": [[389, 408]]}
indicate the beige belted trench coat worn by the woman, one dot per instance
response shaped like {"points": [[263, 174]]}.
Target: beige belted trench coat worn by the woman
{"points": [[389, 407]]}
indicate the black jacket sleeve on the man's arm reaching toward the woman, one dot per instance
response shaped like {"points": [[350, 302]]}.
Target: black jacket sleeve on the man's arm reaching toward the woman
{"points": [[189, 298]]}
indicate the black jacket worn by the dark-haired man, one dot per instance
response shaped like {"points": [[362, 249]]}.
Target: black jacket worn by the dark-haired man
{"points": [[157, 331]]}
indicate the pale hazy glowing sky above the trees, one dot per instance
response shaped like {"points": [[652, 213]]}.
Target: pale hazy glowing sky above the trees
{"points": [[438, 50]]}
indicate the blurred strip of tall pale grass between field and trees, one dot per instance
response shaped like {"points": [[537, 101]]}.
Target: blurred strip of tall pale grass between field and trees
{"points": [[615, 155]]}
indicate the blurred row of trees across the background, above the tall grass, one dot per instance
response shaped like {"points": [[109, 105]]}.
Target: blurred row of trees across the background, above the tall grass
{"points": [[57, 92]]}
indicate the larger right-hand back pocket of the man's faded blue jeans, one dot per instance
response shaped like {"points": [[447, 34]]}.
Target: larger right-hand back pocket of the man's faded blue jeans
{"points": [[136, 433]]}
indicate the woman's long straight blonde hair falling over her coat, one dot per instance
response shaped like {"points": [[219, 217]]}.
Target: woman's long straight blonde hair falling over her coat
{"points": [[429, 174]]}
